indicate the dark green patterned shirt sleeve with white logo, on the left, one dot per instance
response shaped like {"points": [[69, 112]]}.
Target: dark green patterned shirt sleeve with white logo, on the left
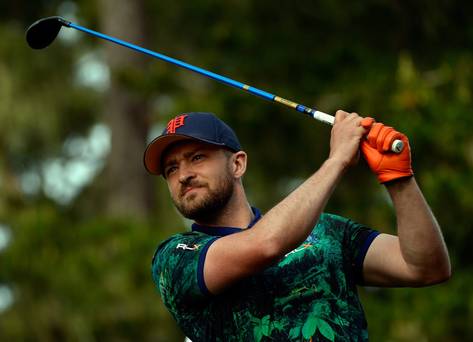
{"points": [[177, 269]]}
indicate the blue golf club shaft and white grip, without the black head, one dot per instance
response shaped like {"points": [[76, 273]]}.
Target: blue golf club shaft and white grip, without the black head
{"points": [[396, 147]]}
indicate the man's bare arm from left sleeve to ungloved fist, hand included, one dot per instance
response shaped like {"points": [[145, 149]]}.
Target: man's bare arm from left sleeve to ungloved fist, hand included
{"points": [[288, 224]]}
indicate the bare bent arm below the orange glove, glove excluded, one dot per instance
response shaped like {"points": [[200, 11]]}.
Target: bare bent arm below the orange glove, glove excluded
{"points": [[418, 255]]}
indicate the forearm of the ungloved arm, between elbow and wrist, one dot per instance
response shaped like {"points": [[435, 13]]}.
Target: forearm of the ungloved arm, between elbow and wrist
{"points": [[289, 223]]}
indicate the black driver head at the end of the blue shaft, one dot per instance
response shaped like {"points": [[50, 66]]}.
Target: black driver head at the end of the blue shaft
{"points": [[43, 32]]}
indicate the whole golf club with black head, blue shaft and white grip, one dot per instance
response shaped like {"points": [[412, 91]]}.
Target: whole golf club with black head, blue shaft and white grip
{"points": [[43, 32]]}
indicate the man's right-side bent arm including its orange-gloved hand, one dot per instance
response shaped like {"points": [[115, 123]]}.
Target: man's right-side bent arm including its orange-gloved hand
{"points": [[417, 256]]}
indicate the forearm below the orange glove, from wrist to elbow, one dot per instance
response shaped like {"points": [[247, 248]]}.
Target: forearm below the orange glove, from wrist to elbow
{"points": [[420, 238]]}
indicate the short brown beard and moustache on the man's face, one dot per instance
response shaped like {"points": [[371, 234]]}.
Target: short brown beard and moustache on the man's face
{"points": [[209, 205]]}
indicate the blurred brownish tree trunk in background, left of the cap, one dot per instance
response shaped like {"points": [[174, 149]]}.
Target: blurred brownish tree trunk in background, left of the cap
{"points": [[129, 188]]}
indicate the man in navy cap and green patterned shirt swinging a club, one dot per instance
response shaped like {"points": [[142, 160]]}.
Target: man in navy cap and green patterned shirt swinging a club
{"points": [[291, 274]]}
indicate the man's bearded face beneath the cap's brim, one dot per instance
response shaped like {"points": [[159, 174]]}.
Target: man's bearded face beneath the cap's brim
{"points": [[199, 178]]}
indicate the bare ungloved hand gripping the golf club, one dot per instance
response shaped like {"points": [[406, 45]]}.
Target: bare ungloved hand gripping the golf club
{"points": [[347, 134]]}
